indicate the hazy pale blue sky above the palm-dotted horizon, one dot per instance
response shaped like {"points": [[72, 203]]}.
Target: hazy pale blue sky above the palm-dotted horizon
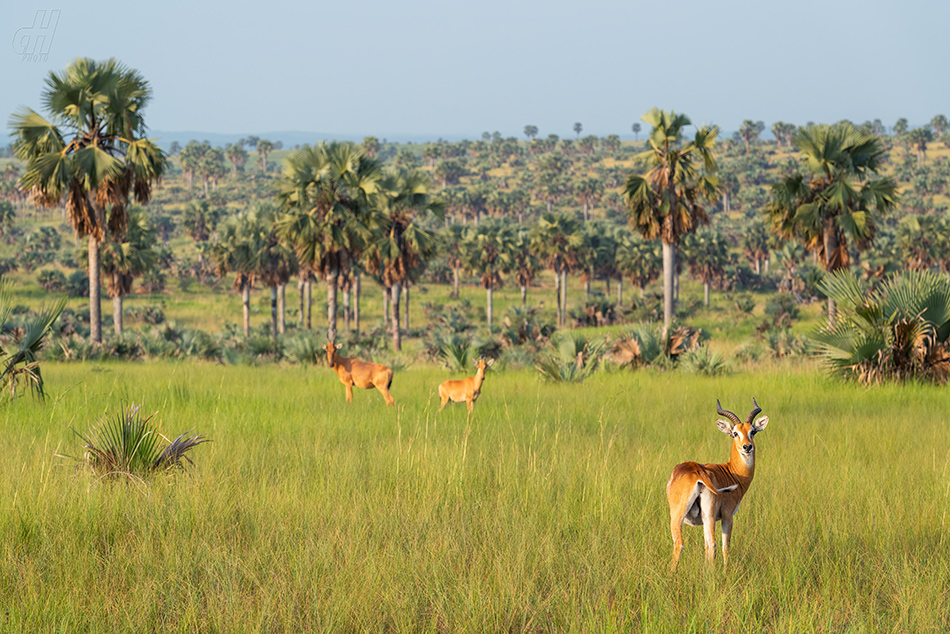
{"points": [[431, 68]]}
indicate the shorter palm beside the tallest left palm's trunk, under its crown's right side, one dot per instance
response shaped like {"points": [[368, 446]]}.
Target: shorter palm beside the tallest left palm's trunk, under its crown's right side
{"points": [[124, 261]]}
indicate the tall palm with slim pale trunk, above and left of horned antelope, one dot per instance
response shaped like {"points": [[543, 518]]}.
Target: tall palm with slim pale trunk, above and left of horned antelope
{"points": [[667, 201]]}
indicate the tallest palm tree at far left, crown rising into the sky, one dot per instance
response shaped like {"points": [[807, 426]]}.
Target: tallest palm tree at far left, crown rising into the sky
{"points": [[91, 153]]}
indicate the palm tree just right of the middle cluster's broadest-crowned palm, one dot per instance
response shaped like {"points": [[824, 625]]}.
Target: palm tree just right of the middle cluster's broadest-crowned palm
{"points": [[402, 243]]}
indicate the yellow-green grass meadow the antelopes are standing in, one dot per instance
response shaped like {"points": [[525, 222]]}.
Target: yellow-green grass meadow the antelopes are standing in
{"points": [[544, 512]]}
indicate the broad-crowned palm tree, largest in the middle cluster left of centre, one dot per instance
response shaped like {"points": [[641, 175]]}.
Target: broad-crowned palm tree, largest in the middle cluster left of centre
{"points": [[326, 190]]}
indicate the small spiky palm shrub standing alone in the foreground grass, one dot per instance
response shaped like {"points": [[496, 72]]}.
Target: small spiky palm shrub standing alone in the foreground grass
{"points": [[129, 444]]}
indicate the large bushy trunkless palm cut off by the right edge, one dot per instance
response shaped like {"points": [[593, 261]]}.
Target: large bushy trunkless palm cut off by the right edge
{"points": [[897, 331]]}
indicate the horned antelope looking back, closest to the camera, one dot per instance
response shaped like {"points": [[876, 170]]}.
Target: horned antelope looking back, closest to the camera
{"points": [[705, 494]]}
